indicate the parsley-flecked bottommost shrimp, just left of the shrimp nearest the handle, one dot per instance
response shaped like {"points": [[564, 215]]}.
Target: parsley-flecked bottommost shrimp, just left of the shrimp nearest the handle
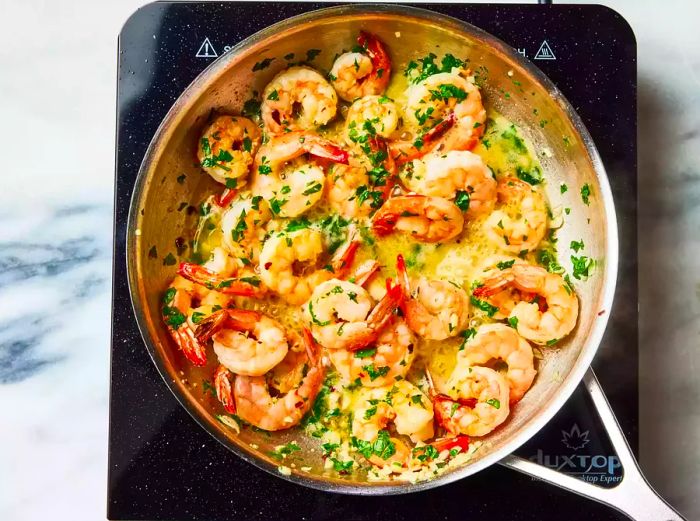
{"points": [[401, 403]]}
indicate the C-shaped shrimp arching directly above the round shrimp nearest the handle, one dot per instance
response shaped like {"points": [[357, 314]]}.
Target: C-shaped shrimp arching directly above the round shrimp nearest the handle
{"points": [[501, 342]]}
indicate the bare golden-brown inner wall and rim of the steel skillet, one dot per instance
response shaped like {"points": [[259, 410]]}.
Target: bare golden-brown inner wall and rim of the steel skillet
{"points": [[564, 147]]}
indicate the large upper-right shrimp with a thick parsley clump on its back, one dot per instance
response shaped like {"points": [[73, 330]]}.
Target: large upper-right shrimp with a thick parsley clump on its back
{"points": [[446, 112]]}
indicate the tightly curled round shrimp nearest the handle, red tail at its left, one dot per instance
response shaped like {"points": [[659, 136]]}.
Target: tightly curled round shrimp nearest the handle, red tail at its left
{"points": [[473, 401]]}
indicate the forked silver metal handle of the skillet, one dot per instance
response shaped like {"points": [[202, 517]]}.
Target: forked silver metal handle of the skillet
{"points": [[633, 496]]}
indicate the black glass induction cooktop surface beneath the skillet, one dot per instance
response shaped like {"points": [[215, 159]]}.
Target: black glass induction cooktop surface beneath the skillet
{"points": [[163, 466]]}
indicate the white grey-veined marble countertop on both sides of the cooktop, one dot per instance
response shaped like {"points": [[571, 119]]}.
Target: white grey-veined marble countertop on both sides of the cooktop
{"points": [[57, 99]]}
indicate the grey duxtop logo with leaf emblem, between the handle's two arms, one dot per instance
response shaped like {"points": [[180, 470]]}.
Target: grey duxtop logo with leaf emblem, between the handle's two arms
{"points": [[594, 468]]}
